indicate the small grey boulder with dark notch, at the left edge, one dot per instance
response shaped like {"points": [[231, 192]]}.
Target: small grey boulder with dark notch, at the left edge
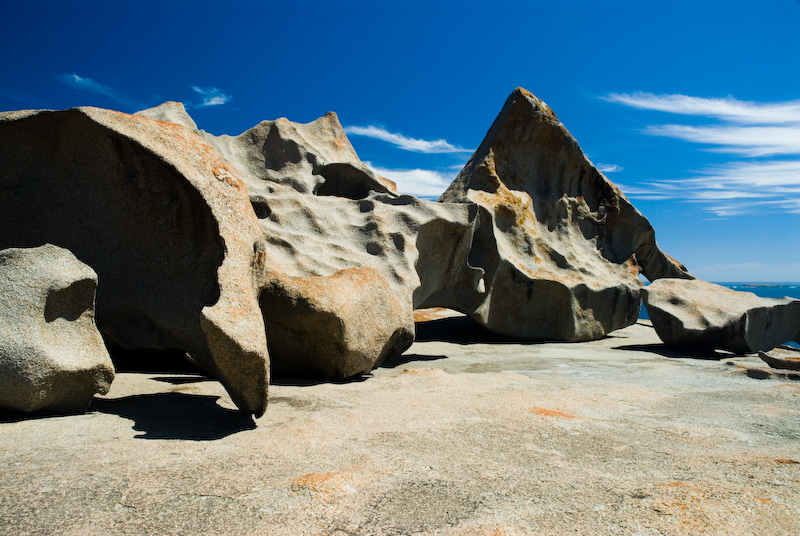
{"points": [[52, 357]]}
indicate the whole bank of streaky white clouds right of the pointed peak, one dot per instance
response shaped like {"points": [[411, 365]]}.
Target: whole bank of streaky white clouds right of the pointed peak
{"points": [[753, 130]]}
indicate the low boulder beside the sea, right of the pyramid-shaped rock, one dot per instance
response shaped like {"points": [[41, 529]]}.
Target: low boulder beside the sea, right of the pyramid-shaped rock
{"points": [[704, 315]]}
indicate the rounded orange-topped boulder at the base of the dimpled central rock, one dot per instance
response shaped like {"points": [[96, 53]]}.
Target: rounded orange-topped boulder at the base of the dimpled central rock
{"points": [[330, 327]]}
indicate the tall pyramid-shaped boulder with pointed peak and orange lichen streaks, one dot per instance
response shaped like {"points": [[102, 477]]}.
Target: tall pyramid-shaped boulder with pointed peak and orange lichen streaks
{"points": [[561, 246]]}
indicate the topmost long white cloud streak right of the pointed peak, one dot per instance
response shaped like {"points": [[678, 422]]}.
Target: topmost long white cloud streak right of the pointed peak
{"points": [[728, 109]]}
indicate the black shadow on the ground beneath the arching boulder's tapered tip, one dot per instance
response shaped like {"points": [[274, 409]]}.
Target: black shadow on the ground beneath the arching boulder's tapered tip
{"points": [[176, 416]]}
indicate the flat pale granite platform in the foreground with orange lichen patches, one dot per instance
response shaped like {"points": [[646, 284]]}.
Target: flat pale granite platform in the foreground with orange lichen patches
{"points": [[465, 434]]}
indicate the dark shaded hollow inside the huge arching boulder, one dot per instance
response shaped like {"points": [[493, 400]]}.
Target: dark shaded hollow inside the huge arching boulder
{"points": [[148, 234]]}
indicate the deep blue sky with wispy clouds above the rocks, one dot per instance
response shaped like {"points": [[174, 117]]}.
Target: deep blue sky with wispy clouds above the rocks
{"points": [[693, 108]]}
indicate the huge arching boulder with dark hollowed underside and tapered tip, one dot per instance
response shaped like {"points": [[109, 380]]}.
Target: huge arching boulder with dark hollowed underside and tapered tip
{"points": [[164, 221]]}
